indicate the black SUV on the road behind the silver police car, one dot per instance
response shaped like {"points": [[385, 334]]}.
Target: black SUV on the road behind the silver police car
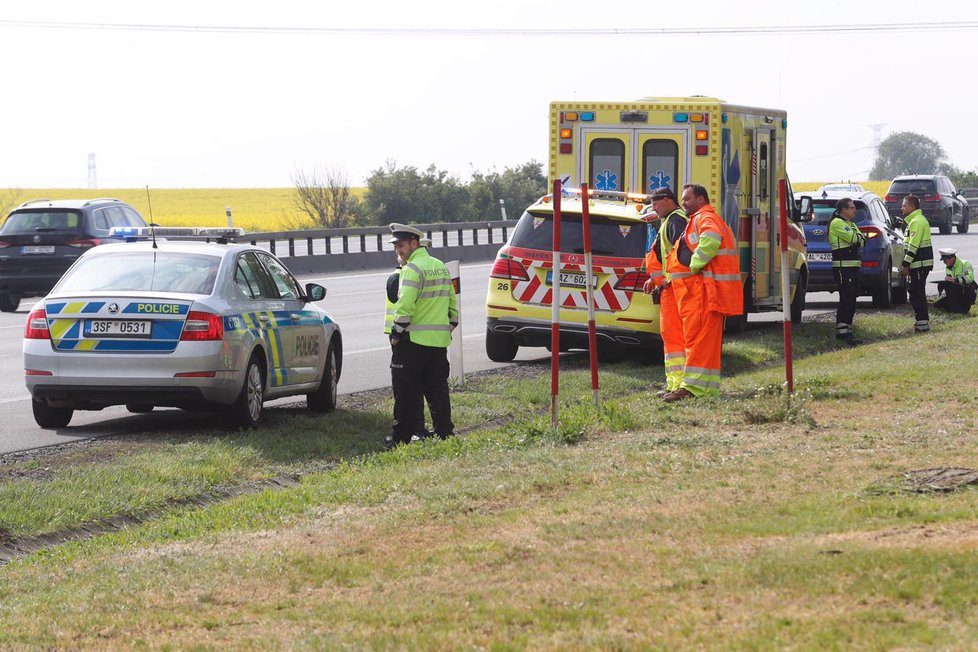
{"points": [[40, 239]]}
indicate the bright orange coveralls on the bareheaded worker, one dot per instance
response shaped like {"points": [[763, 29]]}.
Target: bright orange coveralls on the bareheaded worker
{"points": [[704, 268]]}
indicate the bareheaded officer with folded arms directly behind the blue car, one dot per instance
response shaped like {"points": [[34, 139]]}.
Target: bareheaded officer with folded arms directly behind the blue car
{"points": [[846, 239]]}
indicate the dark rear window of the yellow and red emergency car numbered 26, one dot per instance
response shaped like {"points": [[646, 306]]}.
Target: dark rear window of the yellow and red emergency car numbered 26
{"points": [[608, 237]]}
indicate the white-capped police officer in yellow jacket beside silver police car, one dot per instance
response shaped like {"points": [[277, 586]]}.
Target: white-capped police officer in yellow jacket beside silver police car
{"points": [[425, 314]]}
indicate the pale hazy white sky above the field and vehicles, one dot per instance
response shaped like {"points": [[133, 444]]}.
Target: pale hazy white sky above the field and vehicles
{"points": [[214, 93]]}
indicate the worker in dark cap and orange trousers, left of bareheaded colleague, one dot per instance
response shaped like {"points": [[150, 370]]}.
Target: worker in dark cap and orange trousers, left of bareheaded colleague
{"points": [[672, 223]]}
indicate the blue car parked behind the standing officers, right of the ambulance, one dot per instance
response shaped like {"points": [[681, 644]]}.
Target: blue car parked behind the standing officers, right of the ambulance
{"points": [[879, 274]]}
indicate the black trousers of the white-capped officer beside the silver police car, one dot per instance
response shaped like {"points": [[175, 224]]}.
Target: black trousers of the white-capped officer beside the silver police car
{"points": [[420, 373]]}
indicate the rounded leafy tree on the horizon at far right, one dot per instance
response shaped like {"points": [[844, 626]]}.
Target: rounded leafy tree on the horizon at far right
{"points": [[906, 152]]}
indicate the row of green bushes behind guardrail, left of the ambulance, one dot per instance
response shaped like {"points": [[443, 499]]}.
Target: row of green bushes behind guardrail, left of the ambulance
{"points": [[405, 194]]}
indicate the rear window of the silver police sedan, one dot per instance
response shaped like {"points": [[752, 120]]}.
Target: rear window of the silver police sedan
{"points": [[142, 271]]}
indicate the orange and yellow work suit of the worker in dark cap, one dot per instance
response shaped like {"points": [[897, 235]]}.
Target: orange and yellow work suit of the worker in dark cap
{"points": [[670, 324]]}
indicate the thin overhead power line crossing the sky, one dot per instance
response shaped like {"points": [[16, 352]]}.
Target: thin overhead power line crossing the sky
{"points": [[948, 26]]}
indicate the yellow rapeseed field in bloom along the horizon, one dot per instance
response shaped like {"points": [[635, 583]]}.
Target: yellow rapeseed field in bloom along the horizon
{"points": [[253, 209]]}
